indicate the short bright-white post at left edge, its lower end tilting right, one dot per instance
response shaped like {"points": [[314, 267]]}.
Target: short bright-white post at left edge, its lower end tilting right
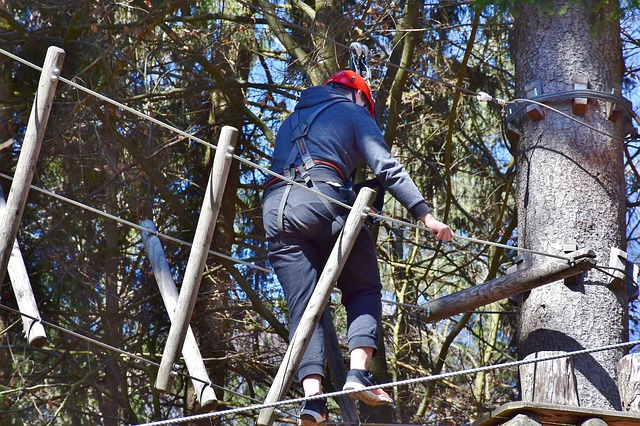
{"points": [[33, 329]]}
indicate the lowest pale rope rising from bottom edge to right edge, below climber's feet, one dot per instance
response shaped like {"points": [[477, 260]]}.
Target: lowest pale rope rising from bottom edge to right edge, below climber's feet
{"points": [[441, 376]]}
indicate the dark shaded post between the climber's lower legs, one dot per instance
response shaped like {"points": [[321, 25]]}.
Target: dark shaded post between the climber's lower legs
{"points": [[348, 409]]}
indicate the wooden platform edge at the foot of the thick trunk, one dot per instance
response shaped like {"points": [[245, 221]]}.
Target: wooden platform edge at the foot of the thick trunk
{"points": [[554, 415]]}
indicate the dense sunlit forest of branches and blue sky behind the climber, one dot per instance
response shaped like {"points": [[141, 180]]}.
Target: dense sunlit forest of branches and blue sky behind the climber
{"points": [[200, 65]]}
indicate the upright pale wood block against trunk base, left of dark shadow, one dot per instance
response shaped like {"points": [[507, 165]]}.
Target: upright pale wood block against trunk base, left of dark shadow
{"points": [[551, 382]]}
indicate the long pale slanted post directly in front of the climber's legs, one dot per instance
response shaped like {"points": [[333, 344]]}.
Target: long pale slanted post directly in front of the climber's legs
{"points": [[317, 304]]}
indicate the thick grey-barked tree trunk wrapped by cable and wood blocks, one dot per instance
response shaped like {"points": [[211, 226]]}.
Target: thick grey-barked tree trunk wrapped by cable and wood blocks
{"points": [[571, 189]]}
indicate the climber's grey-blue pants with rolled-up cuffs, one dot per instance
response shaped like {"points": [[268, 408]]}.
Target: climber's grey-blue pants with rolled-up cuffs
{"points": [[298, 256]]}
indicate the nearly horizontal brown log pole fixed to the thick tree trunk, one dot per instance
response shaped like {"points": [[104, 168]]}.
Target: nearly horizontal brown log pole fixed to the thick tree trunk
{"points": [[545, 272]]}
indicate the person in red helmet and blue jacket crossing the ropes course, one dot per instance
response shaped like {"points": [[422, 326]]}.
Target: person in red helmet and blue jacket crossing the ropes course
{"points": [[320, 145]]}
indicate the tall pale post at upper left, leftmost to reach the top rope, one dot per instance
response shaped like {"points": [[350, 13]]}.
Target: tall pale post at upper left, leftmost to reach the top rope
{"points": [[10, 221]]}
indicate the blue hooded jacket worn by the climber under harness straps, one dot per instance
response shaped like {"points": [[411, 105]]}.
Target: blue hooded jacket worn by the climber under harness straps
{"points": [[345, 135]]}
